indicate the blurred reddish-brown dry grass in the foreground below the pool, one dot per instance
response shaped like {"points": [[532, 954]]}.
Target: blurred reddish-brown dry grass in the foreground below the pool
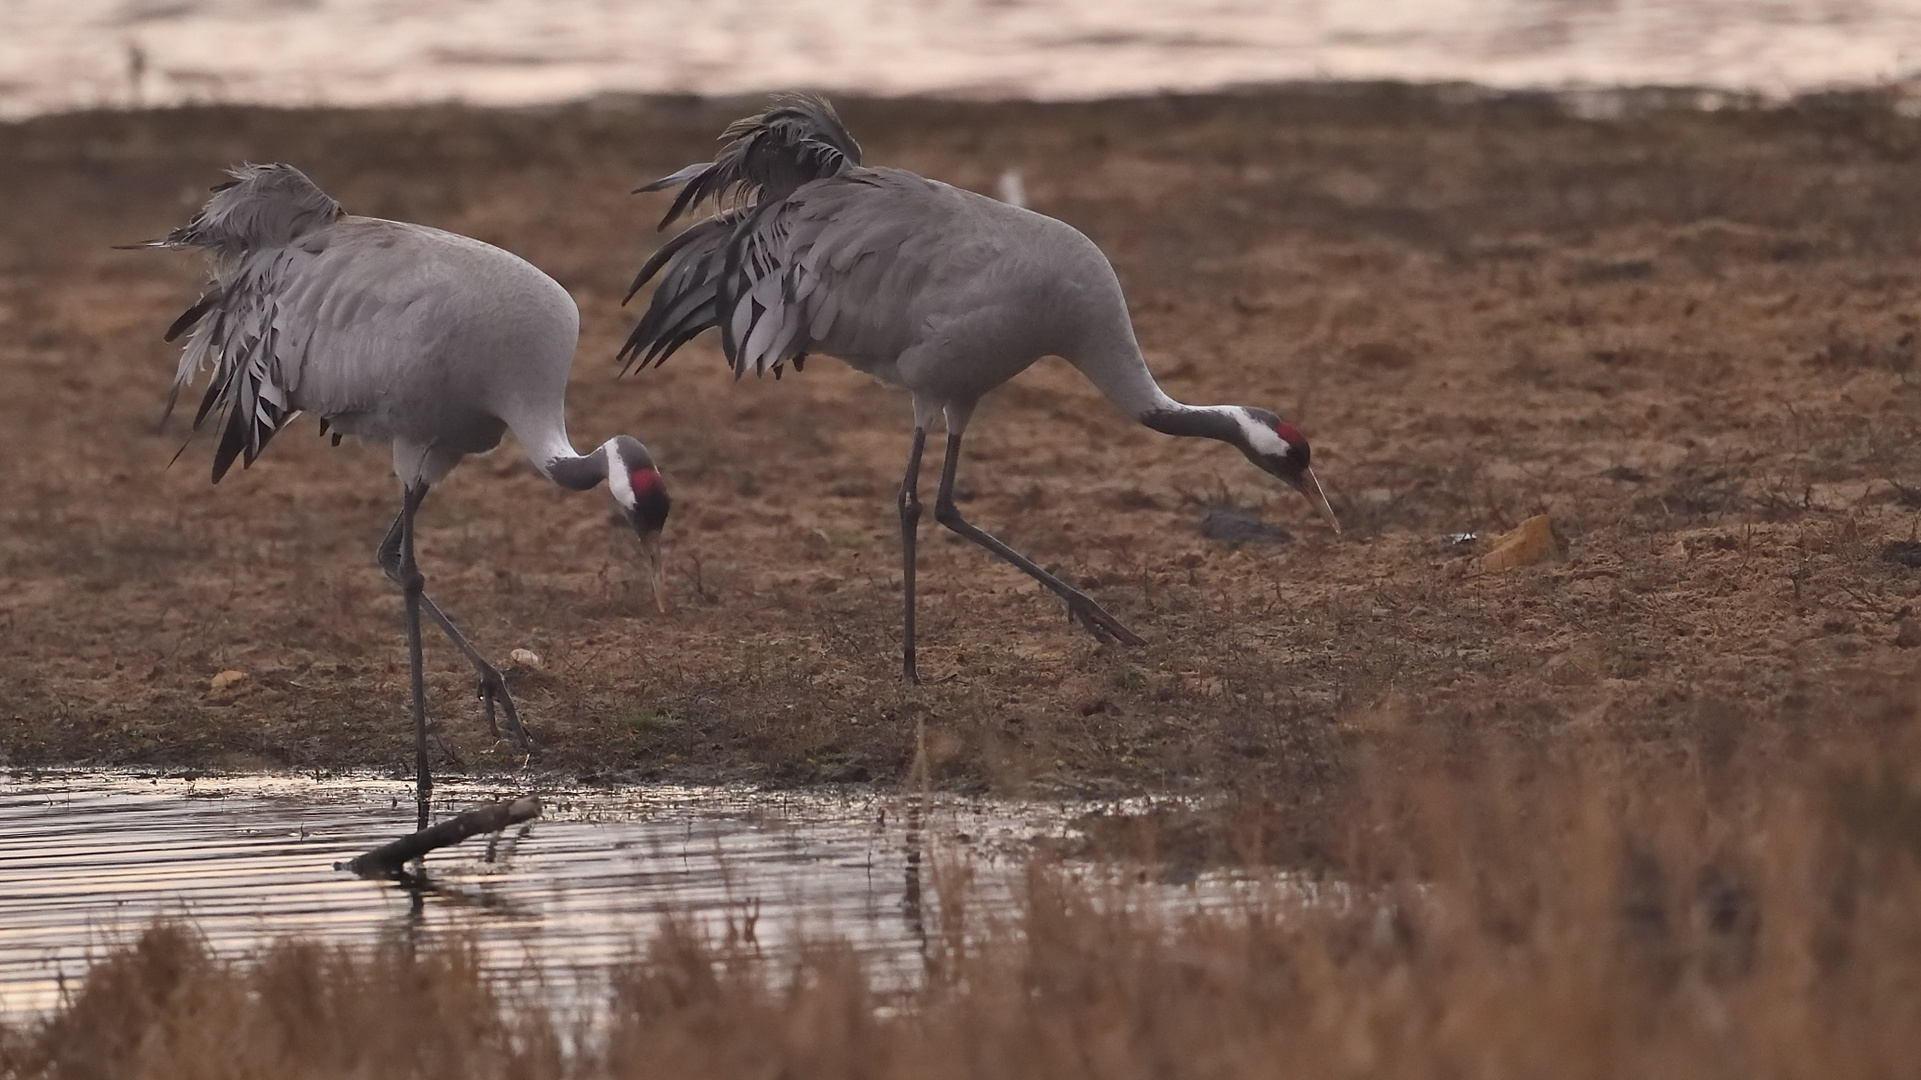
{"points": [[1570, 914]]}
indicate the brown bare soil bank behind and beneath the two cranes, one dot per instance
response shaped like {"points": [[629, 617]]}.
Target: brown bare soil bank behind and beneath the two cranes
{"points": [[1688, 337]]}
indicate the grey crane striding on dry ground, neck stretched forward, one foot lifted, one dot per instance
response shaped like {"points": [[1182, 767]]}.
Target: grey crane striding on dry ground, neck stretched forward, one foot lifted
{"points": [[923, 285]]}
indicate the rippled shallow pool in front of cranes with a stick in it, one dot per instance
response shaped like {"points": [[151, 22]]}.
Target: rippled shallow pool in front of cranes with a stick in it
{"points": [[89, 860]]}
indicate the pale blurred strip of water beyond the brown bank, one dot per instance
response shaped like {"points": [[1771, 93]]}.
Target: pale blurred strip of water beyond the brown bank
{"points": [[61, 55]]}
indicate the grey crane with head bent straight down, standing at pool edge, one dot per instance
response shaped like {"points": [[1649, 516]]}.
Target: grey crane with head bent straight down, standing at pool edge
{"points": [[393, 333]]}
